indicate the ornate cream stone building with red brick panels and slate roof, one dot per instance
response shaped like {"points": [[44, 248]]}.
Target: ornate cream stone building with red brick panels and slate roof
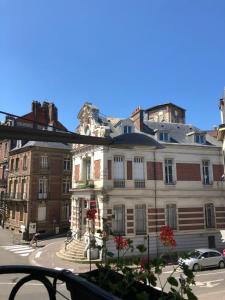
{"points": [[159, 171]]}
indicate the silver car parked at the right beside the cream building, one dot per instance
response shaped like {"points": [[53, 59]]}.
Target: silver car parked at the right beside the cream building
{"points": [[204, 258]]}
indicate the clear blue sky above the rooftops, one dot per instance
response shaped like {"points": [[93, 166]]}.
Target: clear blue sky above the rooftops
{"points": [[117, 54]]}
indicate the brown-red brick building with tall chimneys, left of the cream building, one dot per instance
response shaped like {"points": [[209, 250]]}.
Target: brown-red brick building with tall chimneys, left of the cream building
{"points": [[38, 175]]}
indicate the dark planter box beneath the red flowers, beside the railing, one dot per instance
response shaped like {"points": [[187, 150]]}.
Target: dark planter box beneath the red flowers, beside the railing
{"points": [[105, 279]]}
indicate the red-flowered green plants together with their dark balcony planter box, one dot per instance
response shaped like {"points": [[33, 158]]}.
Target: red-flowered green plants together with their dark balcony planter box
{"points": [[139, 280]]}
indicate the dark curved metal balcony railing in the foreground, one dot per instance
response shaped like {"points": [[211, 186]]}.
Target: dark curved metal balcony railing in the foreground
{"points": [[78, 287]]}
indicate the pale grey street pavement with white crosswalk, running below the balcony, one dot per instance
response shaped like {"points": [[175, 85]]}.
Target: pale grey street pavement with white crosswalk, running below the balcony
{"points": [[209, 283]]}
